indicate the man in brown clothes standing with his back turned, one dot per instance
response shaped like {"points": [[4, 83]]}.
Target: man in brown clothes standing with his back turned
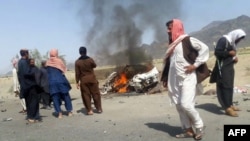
{"points": [[86, 80]]}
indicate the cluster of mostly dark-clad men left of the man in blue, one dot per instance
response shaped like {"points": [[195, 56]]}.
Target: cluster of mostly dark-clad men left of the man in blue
{"points": [[29, 93]]}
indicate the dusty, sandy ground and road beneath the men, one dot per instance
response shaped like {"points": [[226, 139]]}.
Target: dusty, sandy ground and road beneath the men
{"points": [[126, 117]]}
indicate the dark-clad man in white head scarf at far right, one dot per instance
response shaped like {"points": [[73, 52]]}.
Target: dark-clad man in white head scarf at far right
{"points": [[223, 72]]}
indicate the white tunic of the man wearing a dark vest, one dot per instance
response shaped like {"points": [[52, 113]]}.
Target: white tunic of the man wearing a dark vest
{"points": [[180, 83]]}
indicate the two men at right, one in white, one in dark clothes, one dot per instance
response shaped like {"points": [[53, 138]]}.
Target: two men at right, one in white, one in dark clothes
{"points": [[183, 58]]}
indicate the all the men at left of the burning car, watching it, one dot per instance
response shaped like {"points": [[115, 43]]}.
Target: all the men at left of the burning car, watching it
{"points": [[49, 83]]}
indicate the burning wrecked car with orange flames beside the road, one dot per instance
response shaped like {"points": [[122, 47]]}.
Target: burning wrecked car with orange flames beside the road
{"points": [[138, 78]]}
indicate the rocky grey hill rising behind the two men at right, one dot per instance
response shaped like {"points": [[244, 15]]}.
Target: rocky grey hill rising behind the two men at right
{"points": [[208, 34]]}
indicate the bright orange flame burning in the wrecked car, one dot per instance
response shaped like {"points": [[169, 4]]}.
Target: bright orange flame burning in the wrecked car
{"points": [[121, 83]]}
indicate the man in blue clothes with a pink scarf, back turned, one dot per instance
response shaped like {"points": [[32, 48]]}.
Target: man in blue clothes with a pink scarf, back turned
{"points": [[59, 86]]}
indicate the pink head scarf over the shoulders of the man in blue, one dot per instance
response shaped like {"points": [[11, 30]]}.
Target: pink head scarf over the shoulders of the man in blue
{"points": [[55, 62]]}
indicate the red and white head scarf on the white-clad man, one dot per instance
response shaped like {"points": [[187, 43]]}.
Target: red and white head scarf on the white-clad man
{"points": [[177, 36]]}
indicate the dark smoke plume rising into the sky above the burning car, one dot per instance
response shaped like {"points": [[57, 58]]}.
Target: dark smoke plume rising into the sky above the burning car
{"points": [[115, 37]]}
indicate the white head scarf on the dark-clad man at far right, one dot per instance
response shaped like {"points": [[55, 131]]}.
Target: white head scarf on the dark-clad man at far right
{"points": [[234, 35]]}
